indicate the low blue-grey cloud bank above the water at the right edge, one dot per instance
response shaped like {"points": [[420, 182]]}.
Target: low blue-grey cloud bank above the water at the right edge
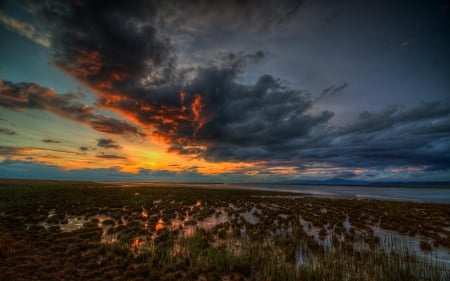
{"points": [[416, 136]]}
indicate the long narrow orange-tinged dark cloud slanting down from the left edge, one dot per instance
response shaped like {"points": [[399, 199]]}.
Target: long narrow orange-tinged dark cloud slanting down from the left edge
{"points": [[21, 96]]}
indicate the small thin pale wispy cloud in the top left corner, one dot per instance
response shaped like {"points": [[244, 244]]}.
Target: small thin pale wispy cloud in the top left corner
{"points": [[24, 29]]}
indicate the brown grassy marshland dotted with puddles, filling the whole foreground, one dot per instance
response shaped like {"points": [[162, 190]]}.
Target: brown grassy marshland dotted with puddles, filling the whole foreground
{"points": [[52, 230]]}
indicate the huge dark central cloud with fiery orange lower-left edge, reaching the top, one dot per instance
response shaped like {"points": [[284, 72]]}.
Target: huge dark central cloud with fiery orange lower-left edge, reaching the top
{"points": [[119, 52]]}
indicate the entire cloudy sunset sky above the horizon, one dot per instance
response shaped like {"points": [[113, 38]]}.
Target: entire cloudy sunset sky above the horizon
{"points": [[225, 91]]}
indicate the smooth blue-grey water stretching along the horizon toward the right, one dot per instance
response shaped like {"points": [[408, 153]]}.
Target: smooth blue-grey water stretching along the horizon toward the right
{"points": [[418, 194]]}
